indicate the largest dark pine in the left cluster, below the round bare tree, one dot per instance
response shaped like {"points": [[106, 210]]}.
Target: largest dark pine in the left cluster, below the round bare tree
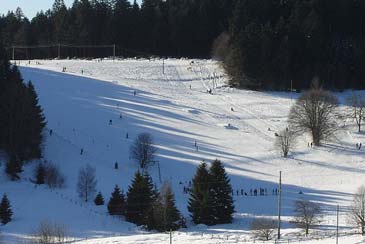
{"points": [[140, 198]]}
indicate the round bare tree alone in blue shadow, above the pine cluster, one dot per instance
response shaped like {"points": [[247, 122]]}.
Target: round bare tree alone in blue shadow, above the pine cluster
{"points": [[143, 150]]}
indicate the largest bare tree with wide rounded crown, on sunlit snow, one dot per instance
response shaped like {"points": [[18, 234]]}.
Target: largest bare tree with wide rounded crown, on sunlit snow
{"points": [[316, 112]]}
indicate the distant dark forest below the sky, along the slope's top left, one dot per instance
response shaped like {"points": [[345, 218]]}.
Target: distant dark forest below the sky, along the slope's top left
{"points": [[170, 28]]}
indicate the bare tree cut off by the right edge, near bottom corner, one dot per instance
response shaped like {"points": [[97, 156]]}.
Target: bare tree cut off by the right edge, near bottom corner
{"points": [[357, 212]]}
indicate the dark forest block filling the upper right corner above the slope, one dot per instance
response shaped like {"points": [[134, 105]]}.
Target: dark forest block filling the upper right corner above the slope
{"points": [[285, 43]]}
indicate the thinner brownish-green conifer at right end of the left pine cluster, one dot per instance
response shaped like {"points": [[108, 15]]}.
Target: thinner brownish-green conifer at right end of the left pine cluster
{"points": [[166, 215]]}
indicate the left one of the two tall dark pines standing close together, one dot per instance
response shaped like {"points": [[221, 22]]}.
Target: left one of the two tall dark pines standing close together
{"points": [[200, 202]]}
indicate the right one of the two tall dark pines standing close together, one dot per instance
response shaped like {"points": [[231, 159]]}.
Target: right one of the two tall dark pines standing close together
{"points": [[221, 192]]}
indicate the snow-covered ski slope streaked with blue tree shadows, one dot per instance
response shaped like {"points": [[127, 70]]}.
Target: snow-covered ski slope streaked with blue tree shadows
{"points": [[172, 103]]}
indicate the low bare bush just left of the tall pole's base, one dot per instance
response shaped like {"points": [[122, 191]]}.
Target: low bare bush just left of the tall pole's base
{"points": [[263, 228]]}
